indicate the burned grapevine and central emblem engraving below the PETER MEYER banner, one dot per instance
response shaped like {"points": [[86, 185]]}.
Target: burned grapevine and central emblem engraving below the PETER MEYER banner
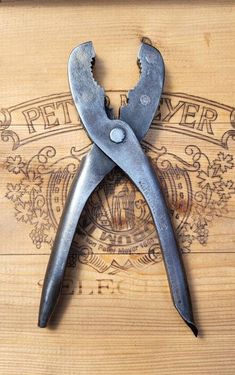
{"points": [[120, 215]]}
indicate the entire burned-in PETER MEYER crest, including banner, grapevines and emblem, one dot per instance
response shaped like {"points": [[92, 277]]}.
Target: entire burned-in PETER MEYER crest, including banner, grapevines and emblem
{"points": [[116, 231]]}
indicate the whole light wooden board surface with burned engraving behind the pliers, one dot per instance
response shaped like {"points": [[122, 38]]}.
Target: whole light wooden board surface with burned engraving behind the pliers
{"points": [[115, 315]]}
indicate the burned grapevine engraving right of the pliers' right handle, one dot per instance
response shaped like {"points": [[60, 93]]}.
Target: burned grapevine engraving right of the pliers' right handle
{"points": [[210, 198]]}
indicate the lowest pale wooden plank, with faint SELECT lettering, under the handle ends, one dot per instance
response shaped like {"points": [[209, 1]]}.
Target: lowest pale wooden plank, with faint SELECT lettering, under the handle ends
{"points": [[118, 324]]}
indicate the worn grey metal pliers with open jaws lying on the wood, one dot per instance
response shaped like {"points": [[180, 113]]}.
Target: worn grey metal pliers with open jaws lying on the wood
{"points": [[116, 142]]}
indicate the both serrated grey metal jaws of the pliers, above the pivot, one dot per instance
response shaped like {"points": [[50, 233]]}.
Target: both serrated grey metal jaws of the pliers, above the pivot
{"points": [[89, 96]]}
